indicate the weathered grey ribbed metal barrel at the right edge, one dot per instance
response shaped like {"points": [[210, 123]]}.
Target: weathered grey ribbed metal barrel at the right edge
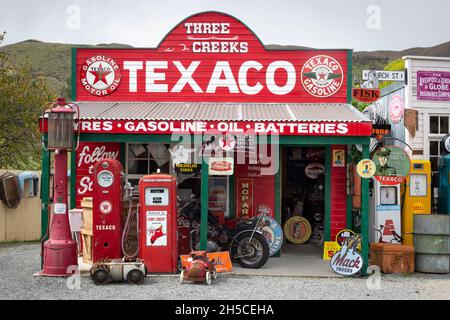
{"points": [[432, 243]]}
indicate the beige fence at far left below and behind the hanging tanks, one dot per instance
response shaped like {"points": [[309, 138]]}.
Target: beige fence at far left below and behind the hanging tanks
{"points": [[24, 222]]}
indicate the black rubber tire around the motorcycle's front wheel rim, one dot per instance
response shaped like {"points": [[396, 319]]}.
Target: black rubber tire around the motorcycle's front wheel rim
{"points": [[260, 257]]}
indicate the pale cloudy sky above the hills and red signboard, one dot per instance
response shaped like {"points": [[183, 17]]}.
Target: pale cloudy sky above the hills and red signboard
{"points": [[354, 24]]}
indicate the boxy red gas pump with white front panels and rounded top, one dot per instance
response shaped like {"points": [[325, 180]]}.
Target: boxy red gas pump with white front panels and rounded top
{"points": [[158, 222]]}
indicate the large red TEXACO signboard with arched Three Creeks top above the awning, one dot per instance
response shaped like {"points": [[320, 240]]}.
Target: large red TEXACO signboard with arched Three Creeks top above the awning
{"points": [[212, 57]]}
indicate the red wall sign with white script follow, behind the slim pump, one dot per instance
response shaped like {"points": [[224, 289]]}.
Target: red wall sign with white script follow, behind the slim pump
{"points": [[87, 155]]}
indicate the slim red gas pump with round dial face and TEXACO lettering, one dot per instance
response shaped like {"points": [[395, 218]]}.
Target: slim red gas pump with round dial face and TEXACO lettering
{"points": [[107, 210]]}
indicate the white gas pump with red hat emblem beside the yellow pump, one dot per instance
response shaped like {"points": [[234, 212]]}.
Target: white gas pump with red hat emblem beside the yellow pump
{"points": [[385, 210]]}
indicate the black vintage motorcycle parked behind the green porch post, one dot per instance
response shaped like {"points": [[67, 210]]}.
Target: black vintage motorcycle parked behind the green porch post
{"points": [[246, 243]]}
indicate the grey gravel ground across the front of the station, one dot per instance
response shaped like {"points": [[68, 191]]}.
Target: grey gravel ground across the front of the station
{"points": [[18, 263]]}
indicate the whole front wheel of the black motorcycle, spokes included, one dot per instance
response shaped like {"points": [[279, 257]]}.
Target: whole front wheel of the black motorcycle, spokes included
{"points": [[251, 251]]}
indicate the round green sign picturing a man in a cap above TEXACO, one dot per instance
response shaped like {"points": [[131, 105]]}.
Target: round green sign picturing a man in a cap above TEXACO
{"points": [[392, 165]]}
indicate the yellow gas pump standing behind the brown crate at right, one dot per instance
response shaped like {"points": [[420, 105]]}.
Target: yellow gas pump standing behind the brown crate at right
{"points": [[417, 196]]}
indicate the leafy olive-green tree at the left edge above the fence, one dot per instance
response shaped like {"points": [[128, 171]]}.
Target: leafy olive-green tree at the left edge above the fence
{"points": [[22, 98]]}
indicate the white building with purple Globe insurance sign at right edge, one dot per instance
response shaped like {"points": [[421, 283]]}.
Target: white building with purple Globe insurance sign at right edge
{"points": [[428, 92]]}
